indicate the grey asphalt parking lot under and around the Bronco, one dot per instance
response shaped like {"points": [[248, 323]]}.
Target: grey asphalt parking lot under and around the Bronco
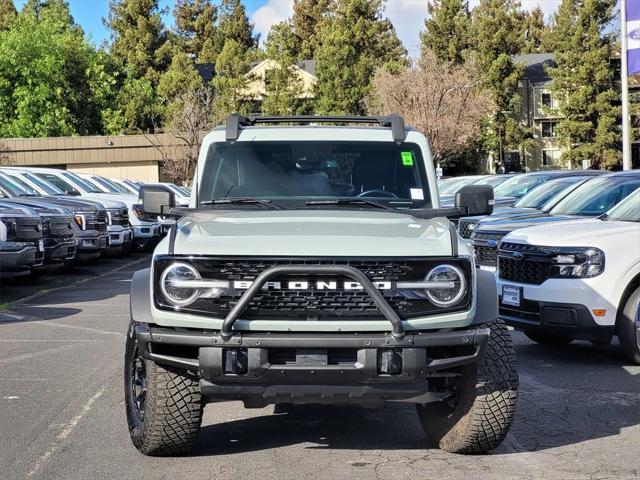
{"points": [[62, 414]]}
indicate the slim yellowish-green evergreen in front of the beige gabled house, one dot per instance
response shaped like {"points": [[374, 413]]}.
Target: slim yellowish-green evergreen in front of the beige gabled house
{"points": [[284, 86]]}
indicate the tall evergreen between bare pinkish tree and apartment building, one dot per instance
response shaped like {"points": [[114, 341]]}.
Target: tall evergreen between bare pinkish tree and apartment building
{"points": [[497, 35]]}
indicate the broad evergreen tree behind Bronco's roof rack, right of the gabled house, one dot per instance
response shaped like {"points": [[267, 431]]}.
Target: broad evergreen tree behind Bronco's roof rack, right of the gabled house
{"points": [[354, 40]]}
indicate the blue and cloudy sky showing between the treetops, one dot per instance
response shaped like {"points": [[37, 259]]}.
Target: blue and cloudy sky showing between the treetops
{"points": [[406, 15]]}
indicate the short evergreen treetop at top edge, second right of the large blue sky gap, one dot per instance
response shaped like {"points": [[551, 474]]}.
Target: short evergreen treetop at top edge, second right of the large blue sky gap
{"points": [[196, 29]]}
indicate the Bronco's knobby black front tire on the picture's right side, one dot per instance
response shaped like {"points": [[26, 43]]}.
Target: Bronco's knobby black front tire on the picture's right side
{"points": [[486, 404]]}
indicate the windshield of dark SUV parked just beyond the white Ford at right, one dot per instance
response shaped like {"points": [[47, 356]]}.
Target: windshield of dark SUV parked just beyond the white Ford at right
{"points": [[596, 196]]}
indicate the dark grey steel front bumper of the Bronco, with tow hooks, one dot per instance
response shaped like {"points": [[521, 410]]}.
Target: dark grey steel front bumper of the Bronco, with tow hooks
{"points": [[314, 368]]}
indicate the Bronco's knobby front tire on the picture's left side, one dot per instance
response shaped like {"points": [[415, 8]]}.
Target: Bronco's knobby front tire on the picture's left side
{"points": [[173, 410]]}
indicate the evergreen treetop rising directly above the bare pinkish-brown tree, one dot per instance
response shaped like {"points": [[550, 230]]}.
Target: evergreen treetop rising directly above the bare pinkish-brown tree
{"points": [[447, 29]]}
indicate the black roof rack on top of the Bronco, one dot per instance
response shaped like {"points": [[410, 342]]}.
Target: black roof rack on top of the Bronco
{"points": [[236, 121]]}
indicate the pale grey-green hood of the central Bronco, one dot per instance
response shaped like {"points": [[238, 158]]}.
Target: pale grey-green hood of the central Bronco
{"points": [[312, 233]]}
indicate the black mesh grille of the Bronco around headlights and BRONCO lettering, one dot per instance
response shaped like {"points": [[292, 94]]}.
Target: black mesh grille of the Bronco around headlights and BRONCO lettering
{"points": [[313, 303]]}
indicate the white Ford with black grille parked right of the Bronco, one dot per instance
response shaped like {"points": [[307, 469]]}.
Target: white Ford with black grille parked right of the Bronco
{"points": [[576, 280]]}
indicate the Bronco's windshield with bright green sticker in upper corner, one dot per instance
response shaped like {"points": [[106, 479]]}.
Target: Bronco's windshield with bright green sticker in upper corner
{"points": [[292, 172]]}
